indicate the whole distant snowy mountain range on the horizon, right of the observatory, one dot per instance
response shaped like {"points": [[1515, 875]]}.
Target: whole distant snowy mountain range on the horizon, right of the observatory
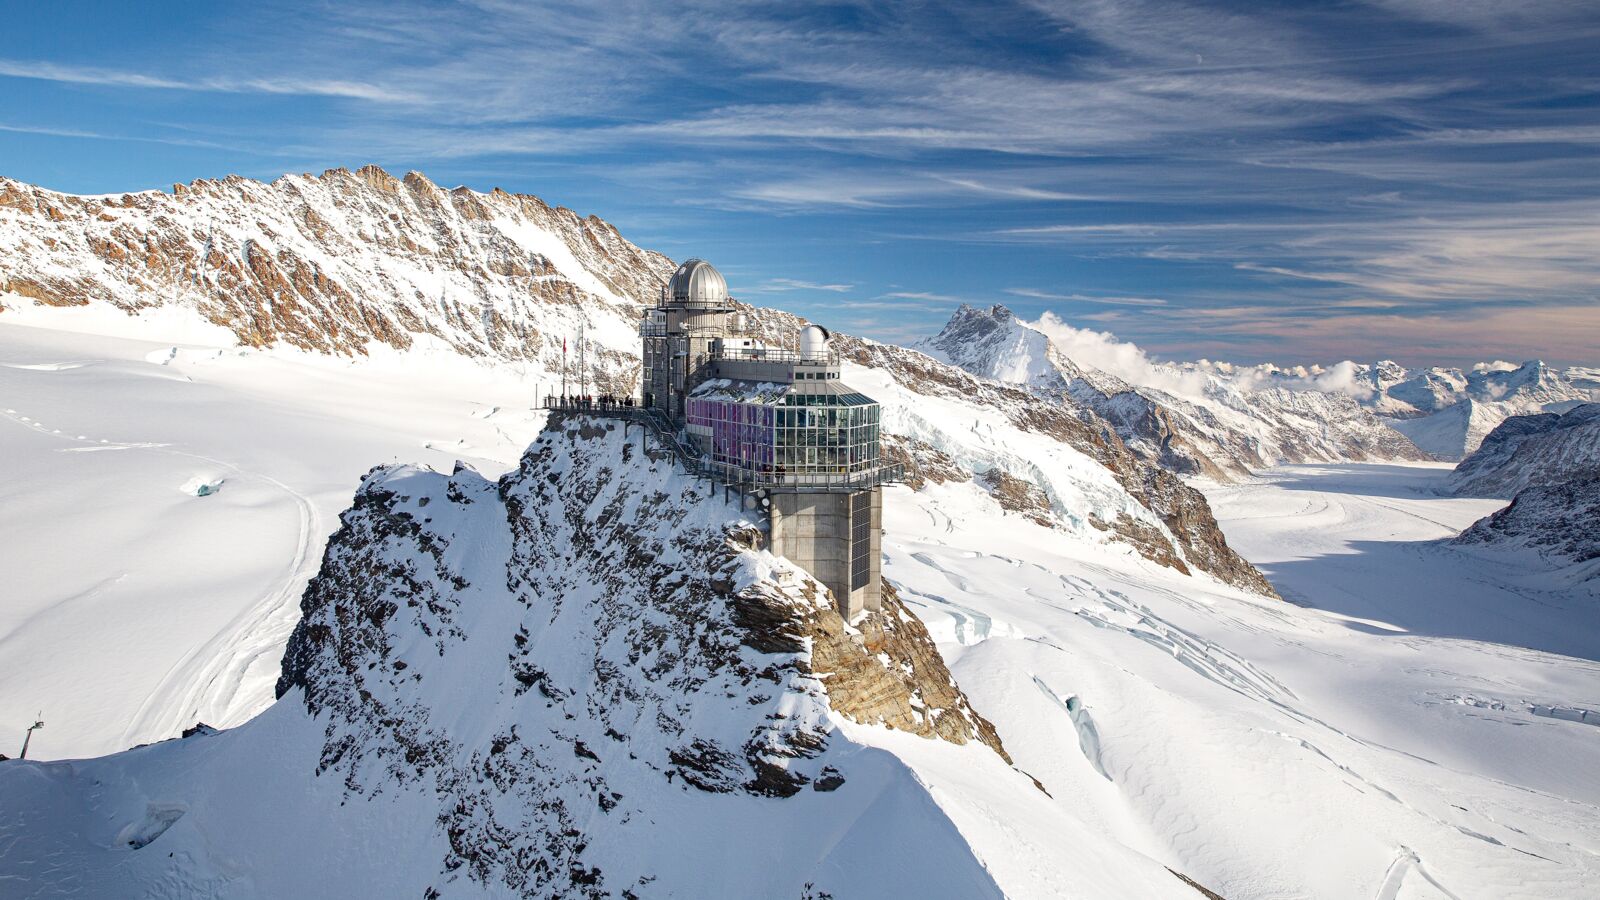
{"points": [[1222, 420]]}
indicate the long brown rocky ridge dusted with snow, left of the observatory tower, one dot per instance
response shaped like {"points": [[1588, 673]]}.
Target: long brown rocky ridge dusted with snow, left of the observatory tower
{"points": [[332, 263]]}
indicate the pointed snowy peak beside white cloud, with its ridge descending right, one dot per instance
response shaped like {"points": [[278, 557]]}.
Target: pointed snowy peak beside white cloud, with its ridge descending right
{"points": [[1215, 428]]}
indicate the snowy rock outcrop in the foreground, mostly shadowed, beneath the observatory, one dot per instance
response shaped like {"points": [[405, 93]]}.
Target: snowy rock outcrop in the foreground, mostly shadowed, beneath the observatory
{"points": [[582, 681]]}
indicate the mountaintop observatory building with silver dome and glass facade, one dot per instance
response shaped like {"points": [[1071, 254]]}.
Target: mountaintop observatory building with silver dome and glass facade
{"points": [[780, 425]]}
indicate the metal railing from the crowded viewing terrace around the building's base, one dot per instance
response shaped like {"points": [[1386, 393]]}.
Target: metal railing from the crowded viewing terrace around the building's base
{"points": [[700, 465]]}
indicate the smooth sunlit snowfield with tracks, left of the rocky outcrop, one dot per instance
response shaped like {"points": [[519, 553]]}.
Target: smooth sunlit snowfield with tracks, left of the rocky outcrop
{"points": [[135, 606]]}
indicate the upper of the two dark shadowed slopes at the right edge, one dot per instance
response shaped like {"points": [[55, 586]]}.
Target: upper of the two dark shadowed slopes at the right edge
{"points": [[1532, 451]]}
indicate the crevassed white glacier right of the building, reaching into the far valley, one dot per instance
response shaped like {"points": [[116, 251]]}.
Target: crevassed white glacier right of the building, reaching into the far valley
{"points": [[1268, 749]]}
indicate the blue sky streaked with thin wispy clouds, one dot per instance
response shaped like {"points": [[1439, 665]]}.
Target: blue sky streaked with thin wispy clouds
{"points": [[1390, 179]]}
